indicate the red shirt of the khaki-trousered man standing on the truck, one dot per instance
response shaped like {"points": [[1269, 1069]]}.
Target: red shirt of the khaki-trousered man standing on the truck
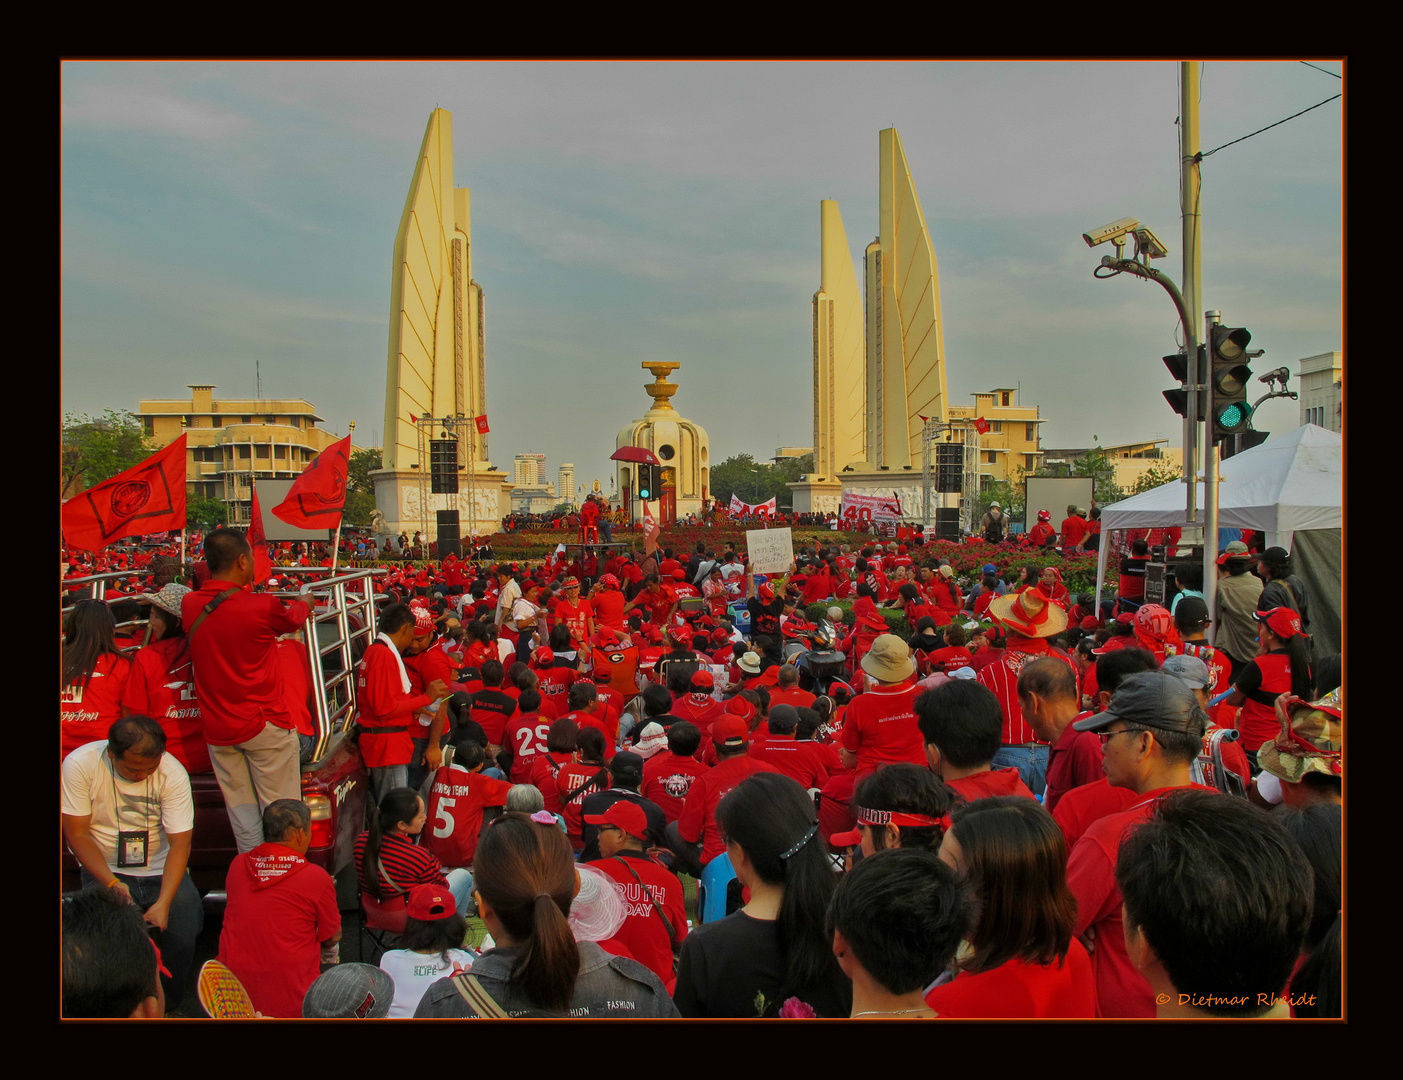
{"points": [[238, 681]]}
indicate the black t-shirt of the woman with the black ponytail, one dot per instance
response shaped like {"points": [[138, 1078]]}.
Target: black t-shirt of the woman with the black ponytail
{"points": [[729, 966]]}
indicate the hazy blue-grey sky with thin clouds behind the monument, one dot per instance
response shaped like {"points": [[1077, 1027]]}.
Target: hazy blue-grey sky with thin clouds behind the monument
{"points": [[222, 217]]}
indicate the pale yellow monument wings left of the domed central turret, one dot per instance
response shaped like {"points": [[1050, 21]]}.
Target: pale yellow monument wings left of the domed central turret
{"points": [[436, 358]]}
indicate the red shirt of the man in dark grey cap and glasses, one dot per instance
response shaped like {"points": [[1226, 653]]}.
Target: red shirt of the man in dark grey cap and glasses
{"points": [[1091, 873]]}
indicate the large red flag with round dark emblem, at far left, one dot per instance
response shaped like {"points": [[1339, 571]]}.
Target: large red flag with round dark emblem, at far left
{"points": [[147, 499]]}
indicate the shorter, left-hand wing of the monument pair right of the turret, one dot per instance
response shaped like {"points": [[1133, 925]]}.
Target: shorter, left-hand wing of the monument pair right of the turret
{"points": [[840, 393]]}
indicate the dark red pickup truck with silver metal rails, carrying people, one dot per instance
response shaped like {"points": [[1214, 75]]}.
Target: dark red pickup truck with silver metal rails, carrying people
{"points": [[335, 782]]}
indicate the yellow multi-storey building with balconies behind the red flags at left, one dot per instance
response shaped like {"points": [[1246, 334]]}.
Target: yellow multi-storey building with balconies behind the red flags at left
{"points": [[229, 444]]}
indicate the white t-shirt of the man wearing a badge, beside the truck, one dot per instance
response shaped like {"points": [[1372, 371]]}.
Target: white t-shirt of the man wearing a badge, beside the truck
{"points": [[162, 804]]}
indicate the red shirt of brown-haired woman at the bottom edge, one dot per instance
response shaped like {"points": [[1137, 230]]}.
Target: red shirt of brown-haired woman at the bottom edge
{"points": [[1022, 991]]}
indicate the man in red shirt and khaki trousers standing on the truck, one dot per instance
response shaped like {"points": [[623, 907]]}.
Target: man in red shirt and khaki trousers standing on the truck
{"points": [[250, 730]]}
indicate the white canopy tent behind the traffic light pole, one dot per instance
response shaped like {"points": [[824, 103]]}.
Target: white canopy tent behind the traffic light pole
{"points": [[1293, 483]]}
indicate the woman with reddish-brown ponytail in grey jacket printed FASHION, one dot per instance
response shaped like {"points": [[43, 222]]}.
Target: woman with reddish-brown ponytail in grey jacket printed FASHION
{"points": [[525, 884]]}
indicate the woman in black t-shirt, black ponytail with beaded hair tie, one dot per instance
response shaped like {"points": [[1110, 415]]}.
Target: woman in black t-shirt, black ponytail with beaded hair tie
{"points": [[775, 949]]}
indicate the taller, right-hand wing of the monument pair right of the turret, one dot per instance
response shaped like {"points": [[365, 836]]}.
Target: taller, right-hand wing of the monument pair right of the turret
{"points": [[906, 344]]}
